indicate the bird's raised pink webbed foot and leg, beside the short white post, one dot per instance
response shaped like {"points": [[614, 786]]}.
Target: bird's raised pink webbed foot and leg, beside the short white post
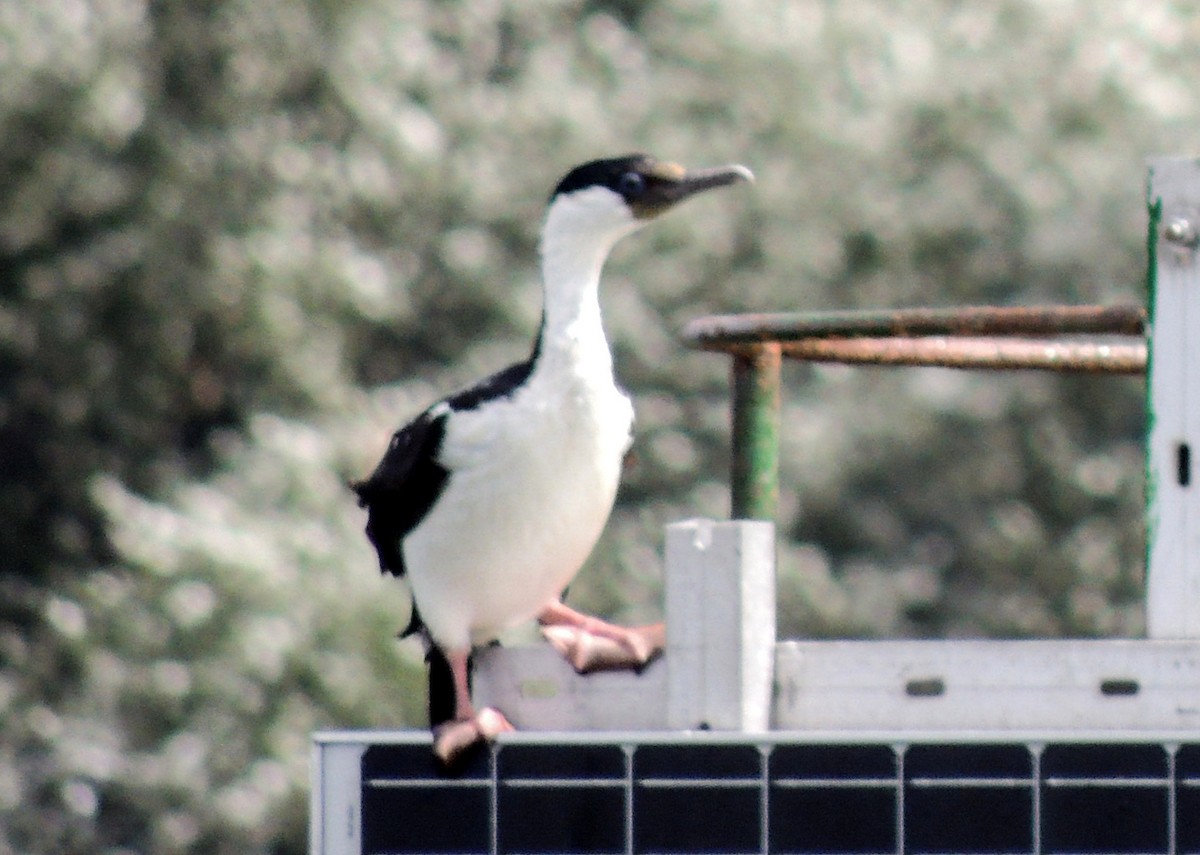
{"points": [[590, 644]]}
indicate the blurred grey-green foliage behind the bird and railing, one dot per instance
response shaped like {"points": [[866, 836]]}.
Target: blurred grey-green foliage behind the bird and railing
{"points": [[242, 241]]}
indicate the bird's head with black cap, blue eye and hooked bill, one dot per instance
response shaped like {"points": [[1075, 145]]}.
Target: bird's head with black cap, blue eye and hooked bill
{"points": [[609, 199]]}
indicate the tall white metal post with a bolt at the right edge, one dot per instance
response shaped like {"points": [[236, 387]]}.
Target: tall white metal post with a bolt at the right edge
{"points": [[1173, 584]]}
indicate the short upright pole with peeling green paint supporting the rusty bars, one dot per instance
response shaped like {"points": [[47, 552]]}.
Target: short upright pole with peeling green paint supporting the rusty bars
{"points": [[755, 465]]}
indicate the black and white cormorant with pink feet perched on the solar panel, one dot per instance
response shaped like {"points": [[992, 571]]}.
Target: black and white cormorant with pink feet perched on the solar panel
{"points": [[493, 499]]}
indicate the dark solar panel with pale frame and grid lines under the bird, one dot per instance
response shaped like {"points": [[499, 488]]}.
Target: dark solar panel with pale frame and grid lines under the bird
{"points": [[721, 793]]}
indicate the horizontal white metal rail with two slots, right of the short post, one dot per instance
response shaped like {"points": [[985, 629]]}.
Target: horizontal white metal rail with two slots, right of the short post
{"points": [[1003, 687]]}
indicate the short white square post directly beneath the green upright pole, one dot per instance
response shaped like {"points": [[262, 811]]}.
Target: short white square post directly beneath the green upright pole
{"points": [[721, 613]]}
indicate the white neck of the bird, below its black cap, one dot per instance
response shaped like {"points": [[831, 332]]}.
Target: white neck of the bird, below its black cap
{"points": [[579, 234]]}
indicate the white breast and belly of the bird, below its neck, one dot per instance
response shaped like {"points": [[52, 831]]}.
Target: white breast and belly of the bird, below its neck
{"points": [[533, 481]]}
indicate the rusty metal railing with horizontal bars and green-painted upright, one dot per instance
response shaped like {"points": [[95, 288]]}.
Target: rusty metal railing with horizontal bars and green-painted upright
{"points": [[969, 338]]}
